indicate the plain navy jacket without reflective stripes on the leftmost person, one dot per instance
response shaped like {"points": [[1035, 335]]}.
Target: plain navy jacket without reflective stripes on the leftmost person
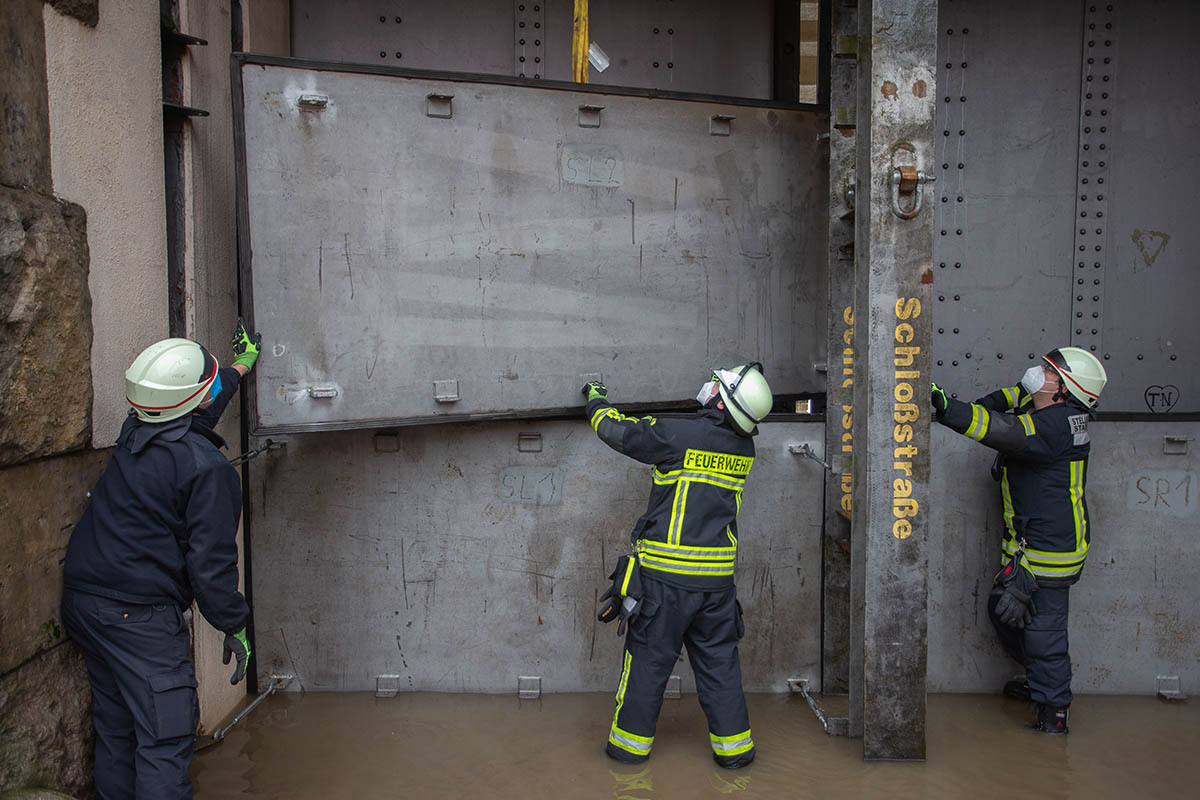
{"points": [[163, 522]]}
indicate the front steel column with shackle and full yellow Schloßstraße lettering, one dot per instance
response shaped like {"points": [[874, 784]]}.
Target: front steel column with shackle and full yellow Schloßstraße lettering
{"points": [[895, 240]]}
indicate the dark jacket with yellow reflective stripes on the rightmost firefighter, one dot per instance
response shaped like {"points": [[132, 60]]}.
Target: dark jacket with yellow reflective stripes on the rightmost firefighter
{"points": [[1043, 472]]}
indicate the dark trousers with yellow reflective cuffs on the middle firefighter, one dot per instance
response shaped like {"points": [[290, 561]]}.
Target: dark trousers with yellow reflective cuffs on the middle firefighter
{"points": [[710, 624]]}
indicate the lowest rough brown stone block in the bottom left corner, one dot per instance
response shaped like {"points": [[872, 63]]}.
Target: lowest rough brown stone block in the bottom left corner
{"points": [[46, 737]]}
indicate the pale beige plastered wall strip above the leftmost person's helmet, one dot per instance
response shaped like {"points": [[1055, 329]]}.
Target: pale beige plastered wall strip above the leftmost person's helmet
{"points": [[105, 92]]}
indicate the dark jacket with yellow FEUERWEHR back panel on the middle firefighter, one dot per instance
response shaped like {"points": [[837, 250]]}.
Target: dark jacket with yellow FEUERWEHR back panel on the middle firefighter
{"points": [[688, 537]]}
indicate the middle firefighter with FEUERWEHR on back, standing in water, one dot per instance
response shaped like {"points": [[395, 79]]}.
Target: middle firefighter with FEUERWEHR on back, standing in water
{"points": [[686, 546]]}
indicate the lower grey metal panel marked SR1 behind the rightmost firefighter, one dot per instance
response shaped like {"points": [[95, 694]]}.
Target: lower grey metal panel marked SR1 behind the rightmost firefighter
{"points": [[1133, 612]]}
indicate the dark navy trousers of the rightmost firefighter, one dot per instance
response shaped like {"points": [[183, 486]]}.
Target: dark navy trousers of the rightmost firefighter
{"points": [[1042, 647]]}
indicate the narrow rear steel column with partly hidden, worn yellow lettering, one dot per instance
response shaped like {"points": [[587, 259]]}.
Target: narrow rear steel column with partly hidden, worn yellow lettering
{"points": [[839, 394]]}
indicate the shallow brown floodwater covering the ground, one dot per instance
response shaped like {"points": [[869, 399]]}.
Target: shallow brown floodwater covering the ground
{"points": [[333, 747]]}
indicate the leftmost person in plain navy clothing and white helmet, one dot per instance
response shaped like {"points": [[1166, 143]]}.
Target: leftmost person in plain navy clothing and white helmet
{"points": [[160, 531]]}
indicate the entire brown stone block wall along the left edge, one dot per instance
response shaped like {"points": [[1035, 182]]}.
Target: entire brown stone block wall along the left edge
{"points": [[46, 468]]}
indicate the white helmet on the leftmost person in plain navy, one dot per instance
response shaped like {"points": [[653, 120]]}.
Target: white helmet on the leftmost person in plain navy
{"points": [[169, 380]]}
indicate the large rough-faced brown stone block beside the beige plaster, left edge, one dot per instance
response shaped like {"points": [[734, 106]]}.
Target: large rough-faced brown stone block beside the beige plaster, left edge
{"points": [[46, 311]]}
